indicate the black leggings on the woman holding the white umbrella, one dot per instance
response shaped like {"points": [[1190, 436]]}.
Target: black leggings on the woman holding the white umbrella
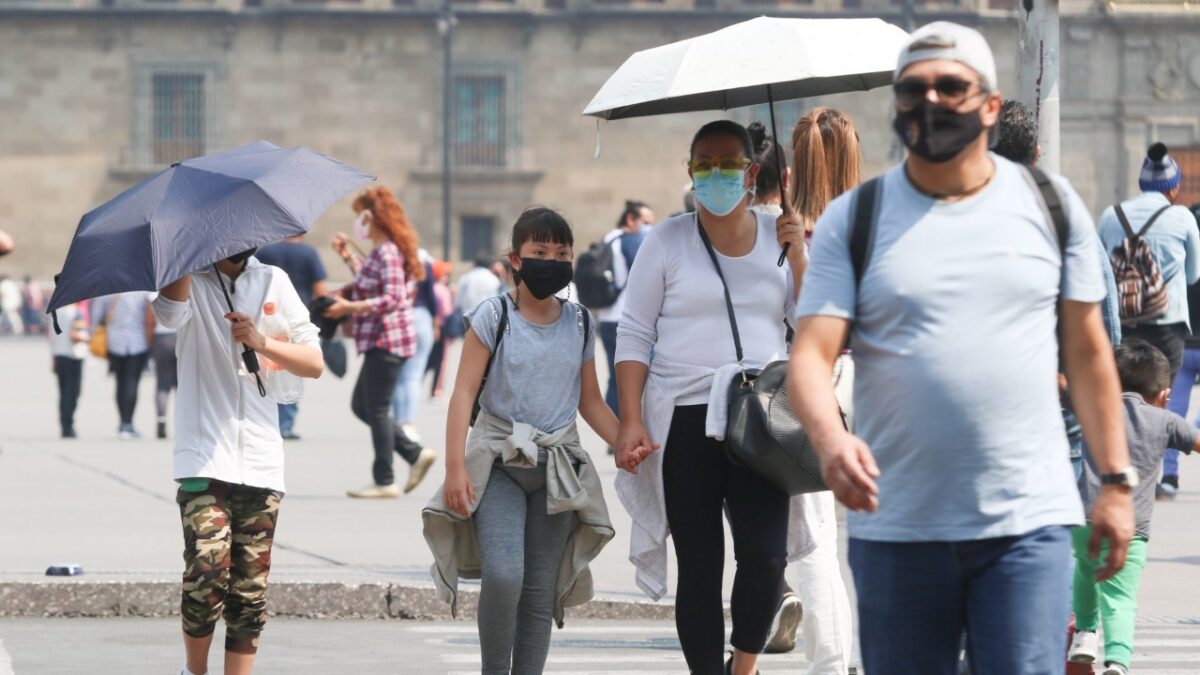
{"points": [[701, 483]]}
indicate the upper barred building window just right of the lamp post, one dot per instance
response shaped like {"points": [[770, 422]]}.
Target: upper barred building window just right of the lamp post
{"points": [[481, 121]]}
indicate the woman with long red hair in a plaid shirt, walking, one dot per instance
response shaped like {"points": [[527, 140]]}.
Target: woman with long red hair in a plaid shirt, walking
{"points": [[380, 306]]}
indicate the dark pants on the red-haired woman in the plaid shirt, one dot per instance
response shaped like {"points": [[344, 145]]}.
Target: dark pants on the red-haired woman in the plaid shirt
{"points": [[371, 403]]}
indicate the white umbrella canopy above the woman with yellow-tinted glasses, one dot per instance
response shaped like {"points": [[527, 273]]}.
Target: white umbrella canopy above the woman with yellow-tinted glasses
{"points": [[733, 68]]}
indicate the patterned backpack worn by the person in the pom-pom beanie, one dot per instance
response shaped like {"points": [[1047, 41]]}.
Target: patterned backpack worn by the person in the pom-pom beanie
{"points": [[1142, 290]]}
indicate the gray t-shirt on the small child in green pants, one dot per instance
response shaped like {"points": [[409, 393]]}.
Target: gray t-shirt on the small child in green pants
{"points": [[1151, 432]]}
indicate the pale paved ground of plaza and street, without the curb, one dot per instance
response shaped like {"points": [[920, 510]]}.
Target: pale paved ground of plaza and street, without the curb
{"points": [[109, 506]]}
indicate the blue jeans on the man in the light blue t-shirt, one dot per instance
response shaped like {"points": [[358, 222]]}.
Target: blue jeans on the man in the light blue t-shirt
{"points": [[916, 599]]}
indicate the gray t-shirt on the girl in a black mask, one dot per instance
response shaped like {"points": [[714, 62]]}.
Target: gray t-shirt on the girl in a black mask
{"points": [[536, 375]]}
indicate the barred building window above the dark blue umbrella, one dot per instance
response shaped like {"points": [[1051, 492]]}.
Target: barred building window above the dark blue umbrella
{"points": [[179, 115]]}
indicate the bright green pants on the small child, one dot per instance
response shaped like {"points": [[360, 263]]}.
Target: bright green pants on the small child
{"points": [[1114, 601]]}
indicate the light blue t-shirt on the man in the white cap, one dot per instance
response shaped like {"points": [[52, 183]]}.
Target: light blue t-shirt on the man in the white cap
{"points": [[957, 354]]}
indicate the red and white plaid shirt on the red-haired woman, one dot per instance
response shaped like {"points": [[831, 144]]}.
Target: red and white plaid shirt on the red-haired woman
{"points": [[382, 284]]}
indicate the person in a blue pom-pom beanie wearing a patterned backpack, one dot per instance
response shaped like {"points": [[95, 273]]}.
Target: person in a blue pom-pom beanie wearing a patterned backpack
{"points": [[1175, 246]]}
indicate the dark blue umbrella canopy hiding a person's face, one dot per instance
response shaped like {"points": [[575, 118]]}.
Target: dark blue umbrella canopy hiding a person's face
{"points": [[197, 213]]}
